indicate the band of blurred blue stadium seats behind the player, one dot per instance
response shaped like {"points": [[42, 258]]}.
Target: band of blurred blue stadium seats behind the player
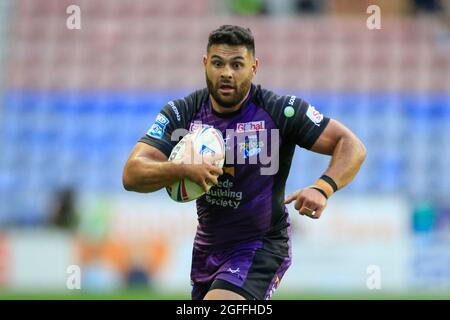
{"points": [[84, 138]]}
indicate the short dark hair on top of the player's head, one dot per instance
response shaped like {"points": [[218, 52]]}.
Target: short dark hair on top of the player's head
{"points": [[232, 35]]}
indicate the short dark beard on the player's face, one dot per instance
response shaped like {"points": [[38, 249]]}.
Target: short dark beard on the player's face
{"points": [[229, 100]]}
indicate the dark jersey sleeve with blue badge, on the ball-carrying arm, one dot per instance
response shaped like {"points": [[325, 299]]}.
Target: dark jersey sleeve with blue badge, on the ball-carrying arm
{"points": [[160, 133]]}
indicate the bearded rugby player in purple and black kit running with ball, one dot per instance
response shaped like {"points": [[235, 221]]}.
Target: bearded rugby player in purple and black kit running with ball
{"points": [[242, 246]]}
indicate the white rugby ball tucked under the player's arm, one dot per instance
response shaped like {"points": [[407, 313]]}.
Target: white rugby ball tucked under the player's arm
{"points": [[205, 141]]}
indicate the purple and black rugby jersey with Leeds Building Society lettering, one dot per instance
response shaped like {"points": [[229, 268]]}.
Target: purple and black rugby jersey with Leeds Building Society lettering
{"points": [[246, 206]]}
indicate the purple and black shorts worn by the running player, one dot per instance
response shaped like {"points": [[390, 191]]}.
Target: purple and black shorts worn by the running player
{"points": [[252, 270]]}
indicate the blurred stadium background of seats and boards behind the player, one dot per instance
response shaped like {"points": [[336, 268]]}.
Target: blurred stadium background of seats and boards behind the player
{"points": [[74, 102]]}
